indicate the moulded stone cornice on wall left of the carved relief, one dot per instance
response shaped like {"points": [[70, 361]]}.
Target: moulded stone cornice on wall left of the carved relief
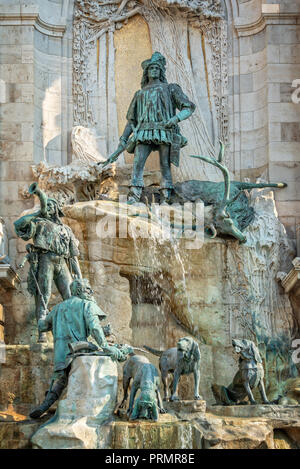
{"points": [[32, 19]]}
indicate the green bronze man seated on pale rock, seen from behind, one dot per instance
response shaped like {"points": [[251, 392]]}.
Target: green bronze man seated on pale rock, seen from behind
{"points": [[73, 321]]}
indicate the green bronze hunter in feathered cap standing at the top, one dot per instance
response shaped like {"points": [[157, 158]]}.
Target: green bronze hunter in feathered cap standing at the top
{"points": [[152, 124]]}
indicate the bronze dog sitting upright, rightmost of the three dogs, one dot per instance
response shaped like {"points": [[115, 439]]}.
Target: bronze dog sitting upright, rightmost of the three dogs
{"points": [[249, 376]]}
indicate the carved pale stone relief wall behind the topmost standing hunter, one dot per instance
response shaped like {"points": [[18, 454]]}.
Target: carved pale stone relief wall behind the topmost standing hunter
{"points": [[193, 37]]}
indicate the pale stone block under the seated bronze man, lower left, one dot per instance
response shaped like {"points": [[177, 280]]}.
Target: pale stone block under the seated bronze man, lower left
{"points": [[89, 401]]}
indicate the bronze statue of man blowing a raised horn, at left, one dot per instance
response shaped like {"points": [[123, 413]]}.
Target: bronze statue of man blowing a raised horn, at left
{"points": [[53, 255]]}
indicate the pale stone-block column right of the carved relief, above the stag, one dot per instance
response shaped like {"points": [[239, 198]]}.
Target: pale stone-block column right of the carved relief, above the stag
{"points": [[264, 90]]}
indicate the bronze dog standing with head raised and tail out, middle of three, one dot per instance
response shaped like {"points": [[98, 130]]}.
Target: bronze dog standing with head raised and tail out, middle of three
{"points": [[181, 360]]}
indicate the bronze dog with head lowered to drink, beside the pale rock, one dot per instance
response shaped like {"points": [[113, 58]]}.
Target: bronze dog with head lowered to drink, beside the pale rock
{"points": [[146, 378]]}
